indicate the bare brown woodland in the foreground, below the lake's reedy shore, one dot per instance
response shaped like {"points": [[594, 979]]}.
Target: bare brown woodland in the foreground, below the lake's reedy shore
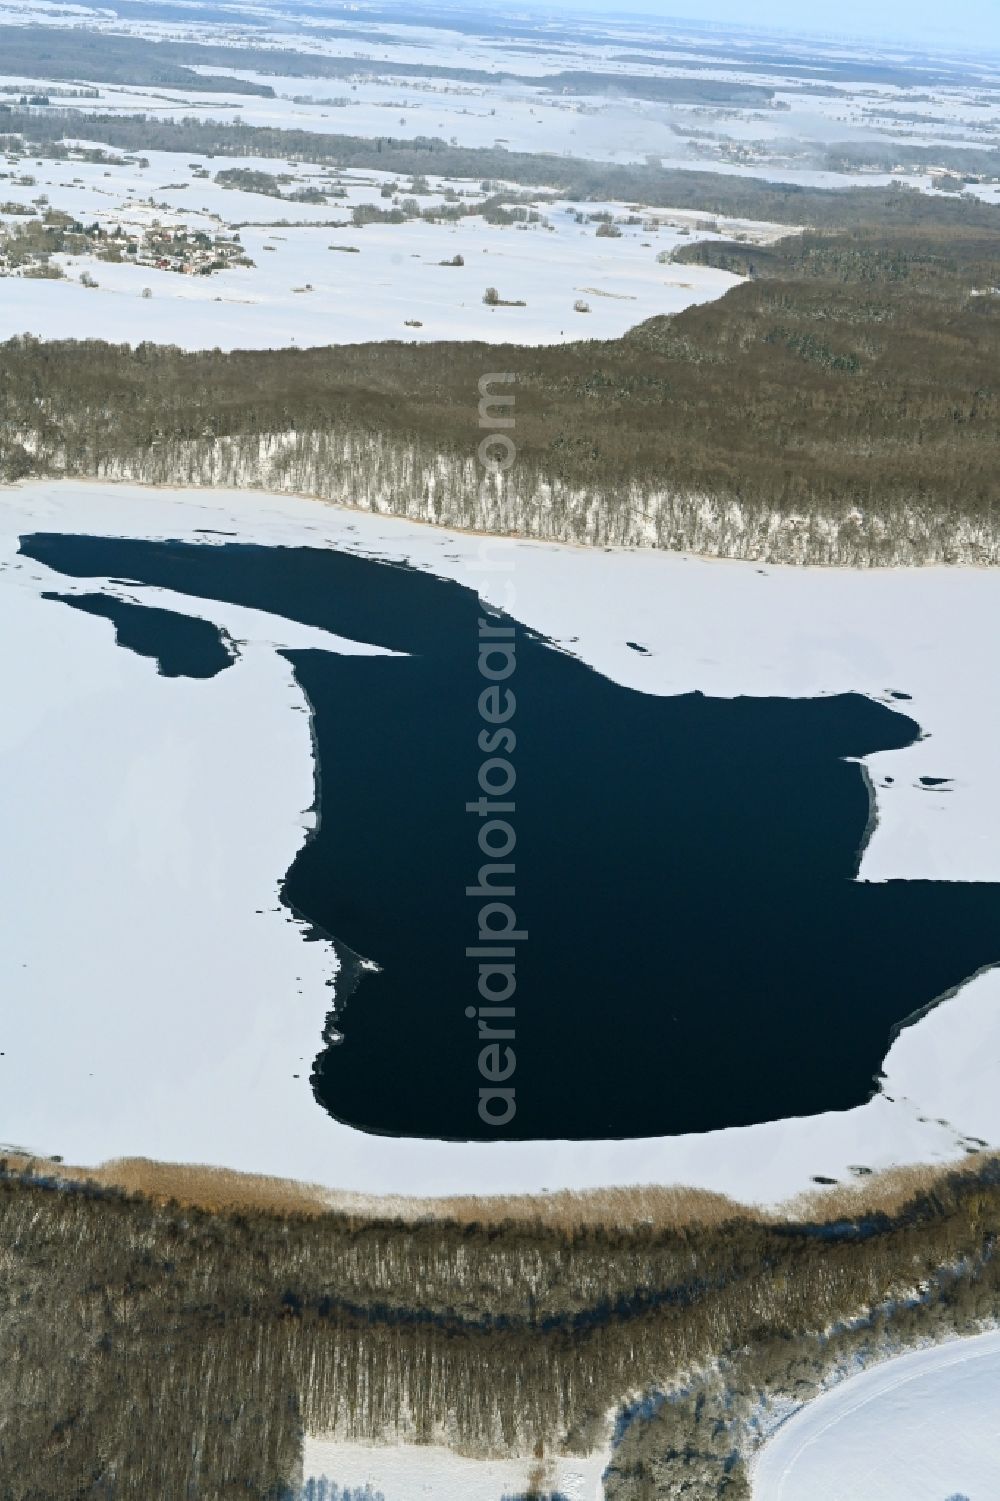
{"points": [[152, 1349]]}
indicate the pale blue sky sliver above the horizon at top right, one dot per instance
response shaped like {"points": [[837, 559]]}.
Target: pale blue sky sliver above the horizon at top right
{"points": [[968, 26]]}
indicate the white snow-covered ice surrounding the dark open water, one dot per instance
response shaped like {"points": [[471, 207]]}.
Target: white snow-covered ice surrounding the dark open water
{"points": [[158, 1002]]}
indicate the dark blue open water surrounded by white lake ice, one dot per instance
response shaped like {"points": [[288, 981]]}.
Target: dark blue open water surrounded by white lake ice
{"points": [[697, 955]]}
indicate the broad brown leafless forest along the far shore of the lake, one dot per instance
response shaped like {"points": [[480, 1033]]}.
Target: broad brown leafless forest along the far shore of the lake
{"points": [[840, 406]]}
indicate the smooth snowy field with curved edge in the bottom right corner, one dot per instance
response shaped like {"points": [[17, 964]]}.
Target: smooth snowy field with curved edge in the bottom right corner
{"points": [[918, 1428]]}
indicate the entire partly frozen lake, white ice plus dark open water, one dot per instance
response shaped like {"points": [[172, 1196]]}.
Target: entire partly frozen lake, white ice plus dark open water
{"points": [[160, 823]]}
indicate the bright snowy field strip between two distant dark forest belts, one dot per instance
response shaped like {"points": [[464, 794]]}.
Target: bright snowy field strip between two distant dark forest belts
{"points": [[782, 145]]}
